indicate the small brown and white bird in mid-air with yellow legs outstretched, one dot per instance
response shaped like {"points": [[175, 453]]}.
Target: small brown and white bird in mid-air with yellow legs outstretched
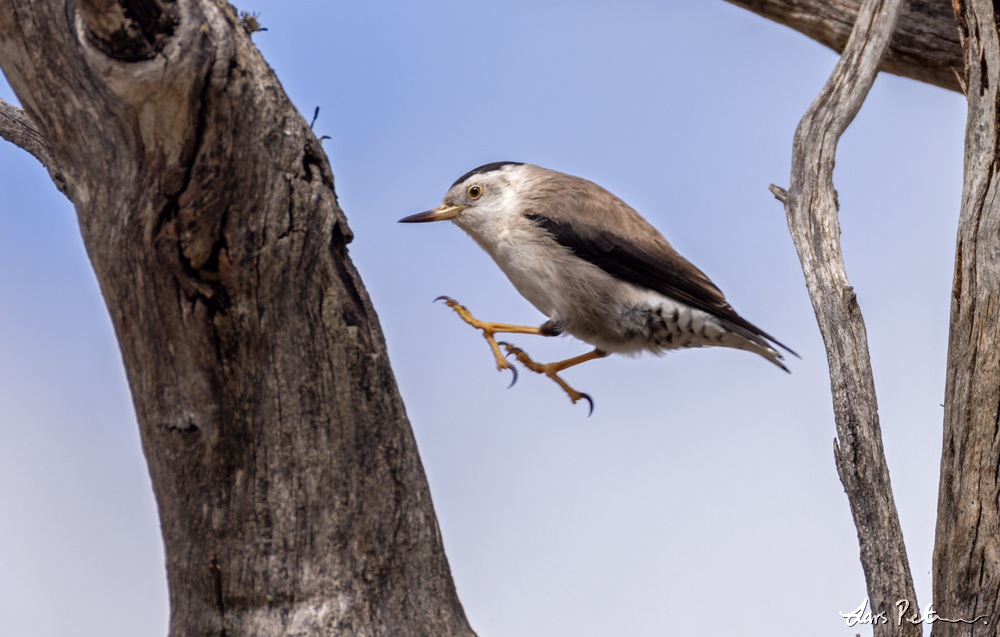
{"points": [[594, 266]]}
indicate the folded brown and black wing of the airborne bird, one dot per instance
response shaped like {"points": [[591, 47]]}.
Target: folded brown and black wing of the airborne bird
{"points": [[626, 246]]}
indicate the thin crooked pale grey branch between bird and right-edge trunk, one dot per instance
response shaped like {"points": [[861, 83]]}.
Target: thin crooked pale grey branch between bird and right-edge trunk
{"points": [[811, 206]]}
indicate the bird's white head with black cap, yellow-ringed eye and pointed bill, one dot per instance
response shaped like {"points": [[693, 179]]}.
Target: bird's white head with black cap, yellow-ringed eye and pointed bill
{"points": [[481, 196]]}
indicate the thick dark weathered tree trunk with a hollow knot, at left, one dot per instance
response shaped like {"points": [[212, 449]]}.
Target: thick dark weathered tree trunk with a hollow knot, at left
{"points": [[291, 496]]}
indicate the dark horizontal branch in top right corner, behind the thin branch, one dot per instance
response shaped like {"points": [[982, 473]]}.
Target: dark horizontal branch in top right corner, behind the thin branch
{"points": [[925, 46]]}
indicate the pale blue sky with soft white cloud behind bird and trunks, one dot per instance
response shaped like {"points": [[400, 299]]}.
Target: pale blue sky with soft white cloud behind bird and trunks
{"points": [[702, 494]]}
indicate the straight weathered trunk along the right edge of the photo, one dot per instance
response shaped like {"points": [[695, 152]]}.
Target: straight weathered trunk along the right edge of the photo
{"points": [[967, 541]]}
